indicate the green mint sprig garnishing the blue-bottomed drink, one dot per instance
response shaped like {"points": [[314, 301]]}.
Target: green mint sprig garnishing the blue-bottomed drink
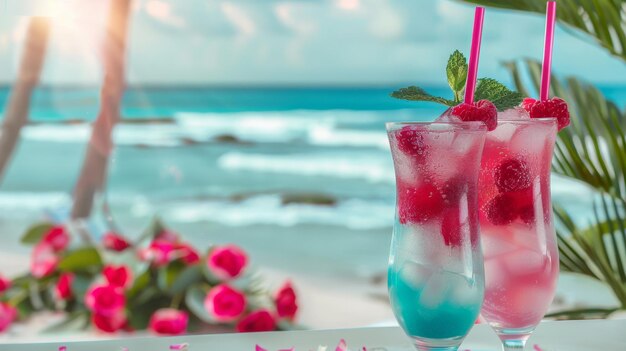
{"points": [[456, 72]]}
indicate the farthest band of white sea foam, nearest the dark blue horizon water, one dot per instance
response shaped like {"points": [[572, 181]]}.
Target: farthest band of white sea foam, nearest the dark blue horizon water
{"points": [[319, 128]]}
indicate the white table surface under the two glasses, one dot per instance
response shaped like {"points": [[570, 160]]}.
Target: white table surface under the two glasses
{"points": [[600, 335]]}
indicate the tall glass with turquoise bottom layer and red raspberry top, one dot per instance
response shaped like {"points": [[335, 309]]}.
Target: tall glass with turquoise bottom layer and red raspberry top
{"points": [[435, 276]]}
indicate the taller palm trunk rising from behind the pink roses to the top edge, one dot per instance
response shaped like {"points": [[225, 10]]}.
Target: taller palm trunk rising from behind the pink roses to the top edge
{"points": [[93, 173]]}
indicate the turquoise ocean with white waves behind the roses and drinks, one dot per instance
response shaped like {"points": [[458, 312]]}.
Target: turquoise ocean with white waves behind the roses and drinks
{"points": [[222, 163]]}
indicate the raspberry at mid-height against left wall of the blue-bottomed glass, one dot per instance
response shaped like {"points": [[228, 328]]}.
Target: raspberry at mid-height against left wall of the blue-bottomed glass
{"points": [[416, 205]]}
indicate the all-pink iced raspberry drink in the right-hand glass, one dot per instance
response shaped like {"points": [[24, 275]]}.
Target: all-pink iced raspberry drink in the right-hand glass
{"points": [[517, 231]]}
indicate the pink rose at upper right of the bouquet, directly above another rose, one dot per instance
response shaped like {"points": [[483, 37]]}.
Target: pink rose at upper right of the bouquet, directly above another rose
{"points": [[227, 262]]}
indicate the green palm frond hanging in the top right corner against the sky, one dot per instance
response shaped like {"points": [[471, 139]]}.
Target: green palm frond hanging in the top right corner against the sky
{"points": [[602, 20]]}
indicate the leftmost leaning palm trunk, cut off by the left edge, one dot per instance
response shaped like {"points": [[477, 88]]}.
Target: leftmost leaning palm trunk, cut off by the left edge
{"points": [[17, 110]]}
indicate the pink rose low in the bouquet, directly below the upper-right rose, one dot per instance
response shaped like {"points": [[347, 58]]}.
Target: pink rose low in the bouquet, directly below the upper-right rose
{"points": [[224, 303]]}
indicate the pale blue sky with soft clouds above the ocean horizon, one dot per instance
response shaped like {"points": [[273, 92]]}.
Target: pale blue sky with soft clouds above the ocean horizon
{"points": [[301, 42]]}
